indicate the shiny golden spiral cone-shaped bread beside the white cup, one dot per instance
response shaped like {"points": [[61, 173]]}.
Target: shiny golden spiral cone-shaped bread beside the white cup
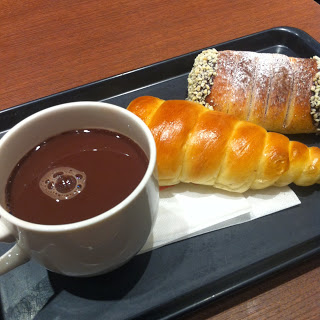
{"points": [[201, 146]]}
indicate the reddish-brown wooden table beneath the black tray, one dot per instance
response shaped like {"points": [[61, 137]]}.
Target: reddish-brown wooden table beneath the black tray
{"points": [[50, 46]]}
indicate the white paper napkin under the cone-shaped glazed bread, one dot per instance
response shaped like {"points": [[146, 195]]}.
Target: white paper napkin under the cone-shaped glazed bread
{"points": [[187, 210]]}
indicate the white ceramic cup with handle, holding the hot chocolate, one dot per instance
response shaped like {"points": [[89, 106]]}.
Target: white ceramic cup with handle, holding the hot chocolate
{"points": [[96, 245]]}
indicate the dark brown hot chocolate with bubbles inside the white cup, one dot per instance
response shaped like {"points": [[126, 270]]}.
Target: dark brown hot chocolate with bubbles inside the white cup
{"points": [[75, 176]]}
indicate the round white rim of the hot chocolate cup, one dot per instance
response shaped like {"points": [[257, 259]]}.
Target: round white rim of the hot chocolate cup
{"points": [[104, 215]]}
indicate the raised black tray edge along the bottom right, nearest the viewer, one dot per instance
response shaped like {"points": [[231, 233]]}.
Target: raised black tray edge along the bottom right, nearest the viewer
{"points": [[239, 280]]}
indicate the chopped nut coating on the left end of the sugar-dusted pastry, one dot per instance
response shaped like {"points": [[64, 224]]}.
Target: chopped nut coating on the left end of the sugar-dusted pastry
{"points": [[200, 79]]}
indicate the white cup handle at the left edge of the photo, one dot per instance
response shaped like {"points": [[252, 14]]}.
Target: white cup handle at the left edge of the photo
{"points": [[13, 257]]}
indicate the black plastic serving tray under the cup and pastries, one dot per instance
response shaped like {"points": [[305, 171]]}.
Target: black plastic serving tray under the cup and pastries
{"points": [[183, 276]]}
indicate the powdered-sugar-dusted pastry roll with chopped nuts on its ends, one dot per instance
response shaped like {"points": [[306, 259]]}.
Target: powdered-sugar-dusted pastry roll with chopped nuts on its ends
{"points": [[279, 93]]}
